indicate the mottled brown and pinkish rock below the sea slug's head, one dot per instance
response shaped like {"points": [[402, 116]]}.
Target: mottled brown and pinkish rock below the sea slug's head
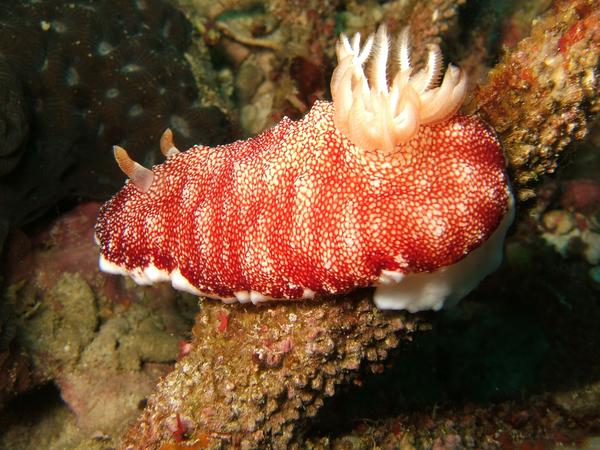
{"points": [[103, 343]]}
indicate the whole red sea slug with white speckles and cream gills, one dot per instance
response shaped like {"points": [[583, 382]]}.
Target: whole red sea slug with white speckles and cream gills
{"points": [[386, 186]]}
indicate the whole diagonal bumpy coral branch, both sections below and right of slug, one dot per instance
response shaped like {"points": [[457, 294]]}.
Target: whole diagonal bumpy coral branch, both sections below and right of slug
{"points": [[254, 376]]}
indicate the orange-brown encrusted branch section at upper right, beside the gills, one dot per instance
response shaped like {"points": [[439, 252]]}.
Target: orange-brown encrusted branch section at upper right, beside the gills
{"points": [[540, 96]]}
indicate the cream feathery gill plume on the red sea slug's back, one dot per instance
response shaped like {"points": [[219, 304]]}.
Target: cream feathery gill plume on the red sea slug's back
{"points": [[375, 114]]}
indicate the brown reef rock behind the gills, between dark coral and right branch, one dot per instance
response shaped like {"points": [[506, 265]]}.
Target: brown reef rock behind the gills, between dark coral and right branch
{"points": [[280, 55]]}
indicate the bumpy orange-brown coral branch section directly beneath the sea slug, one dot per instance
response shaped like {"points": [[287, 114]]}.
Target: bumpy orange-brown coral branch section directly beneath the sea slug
{"points": [[254, 375]]}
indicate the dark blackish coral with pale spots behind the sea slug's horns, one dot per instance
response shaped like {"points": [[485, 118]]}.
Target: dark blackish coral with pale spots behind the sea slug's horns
{"points": [[77, 78]]}
